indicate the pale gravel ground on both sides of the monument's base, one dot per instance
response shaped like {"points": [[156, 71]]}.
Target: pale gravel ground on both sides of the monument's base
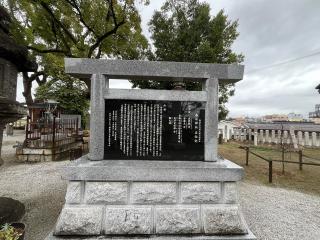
{"points": [[271, 213]]}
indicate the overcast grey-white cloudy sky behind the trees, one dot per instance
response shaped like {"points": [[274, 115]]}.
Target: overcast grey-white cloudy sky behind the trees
{"points": [[281, 44]]}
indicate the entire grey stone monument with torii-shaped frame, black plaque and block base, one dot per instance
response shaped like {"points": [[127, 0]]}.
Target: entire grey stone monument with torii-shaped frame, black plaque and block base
{"points": [[152, 171]]}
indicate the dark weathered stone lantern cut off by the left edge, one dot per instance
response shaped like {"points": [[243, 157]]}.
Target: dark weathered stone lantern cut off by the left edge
{"points": [[13, 59]]}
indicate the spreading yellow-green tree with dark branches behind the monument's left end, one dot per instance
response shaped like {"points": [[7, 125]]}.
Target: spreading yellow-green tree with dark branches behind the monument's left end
{"points": [[54, 29]]}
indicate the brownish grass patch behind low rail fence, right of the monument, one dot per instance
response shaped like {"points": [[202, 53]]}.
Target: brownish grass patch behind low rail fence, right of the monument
{"points": [[307, 180]]}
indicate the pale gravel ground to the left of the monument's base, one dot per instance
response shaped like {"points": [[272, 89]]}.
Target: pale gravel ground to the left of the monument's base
{"points": [[39, 186]]}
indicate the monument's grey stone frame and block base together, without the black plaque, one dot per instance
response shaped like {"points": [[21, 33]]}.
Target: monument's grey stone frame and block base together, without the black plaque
{"points": [[152, 199]]}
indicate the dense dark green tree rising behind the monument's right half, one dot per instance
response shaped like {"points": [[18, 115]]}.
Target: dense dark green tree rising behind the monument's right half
{"points": [[184, 31]]}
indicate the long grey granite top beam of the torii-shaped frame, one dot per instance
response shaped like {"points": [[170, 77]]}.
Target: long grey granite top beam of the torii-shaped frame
{"points": [[153, 70]]}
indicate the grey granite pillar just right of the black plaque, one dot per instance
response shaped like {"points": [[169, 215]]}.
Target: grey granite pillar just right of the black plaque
{"points": [[211, 121]]}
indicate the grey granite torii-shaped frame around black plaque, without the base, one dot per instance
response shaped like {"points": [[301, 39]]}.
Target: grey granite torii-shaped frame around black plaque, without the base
{"points": [[101, 70]]}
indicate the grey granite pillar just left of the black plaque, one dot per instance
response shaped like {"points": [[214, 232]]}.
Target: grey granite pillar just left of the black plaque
{"points": [[99, 83]]}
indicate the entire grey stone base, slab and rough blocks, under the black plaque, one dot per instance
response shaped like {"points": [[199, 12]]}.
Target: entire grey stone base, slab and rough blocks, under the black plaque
{"points": [[111, 205]]}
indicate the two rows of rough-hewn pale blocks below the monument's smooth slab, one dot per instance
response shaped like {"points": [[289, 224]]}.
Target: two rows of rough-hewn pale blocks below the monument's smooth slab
{"points": [[134, 208]]}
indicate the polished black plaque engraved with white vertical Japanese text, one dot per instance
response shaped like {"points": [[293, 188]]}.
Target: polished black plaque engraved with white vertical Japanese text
{"points": [[154, 130]]}
